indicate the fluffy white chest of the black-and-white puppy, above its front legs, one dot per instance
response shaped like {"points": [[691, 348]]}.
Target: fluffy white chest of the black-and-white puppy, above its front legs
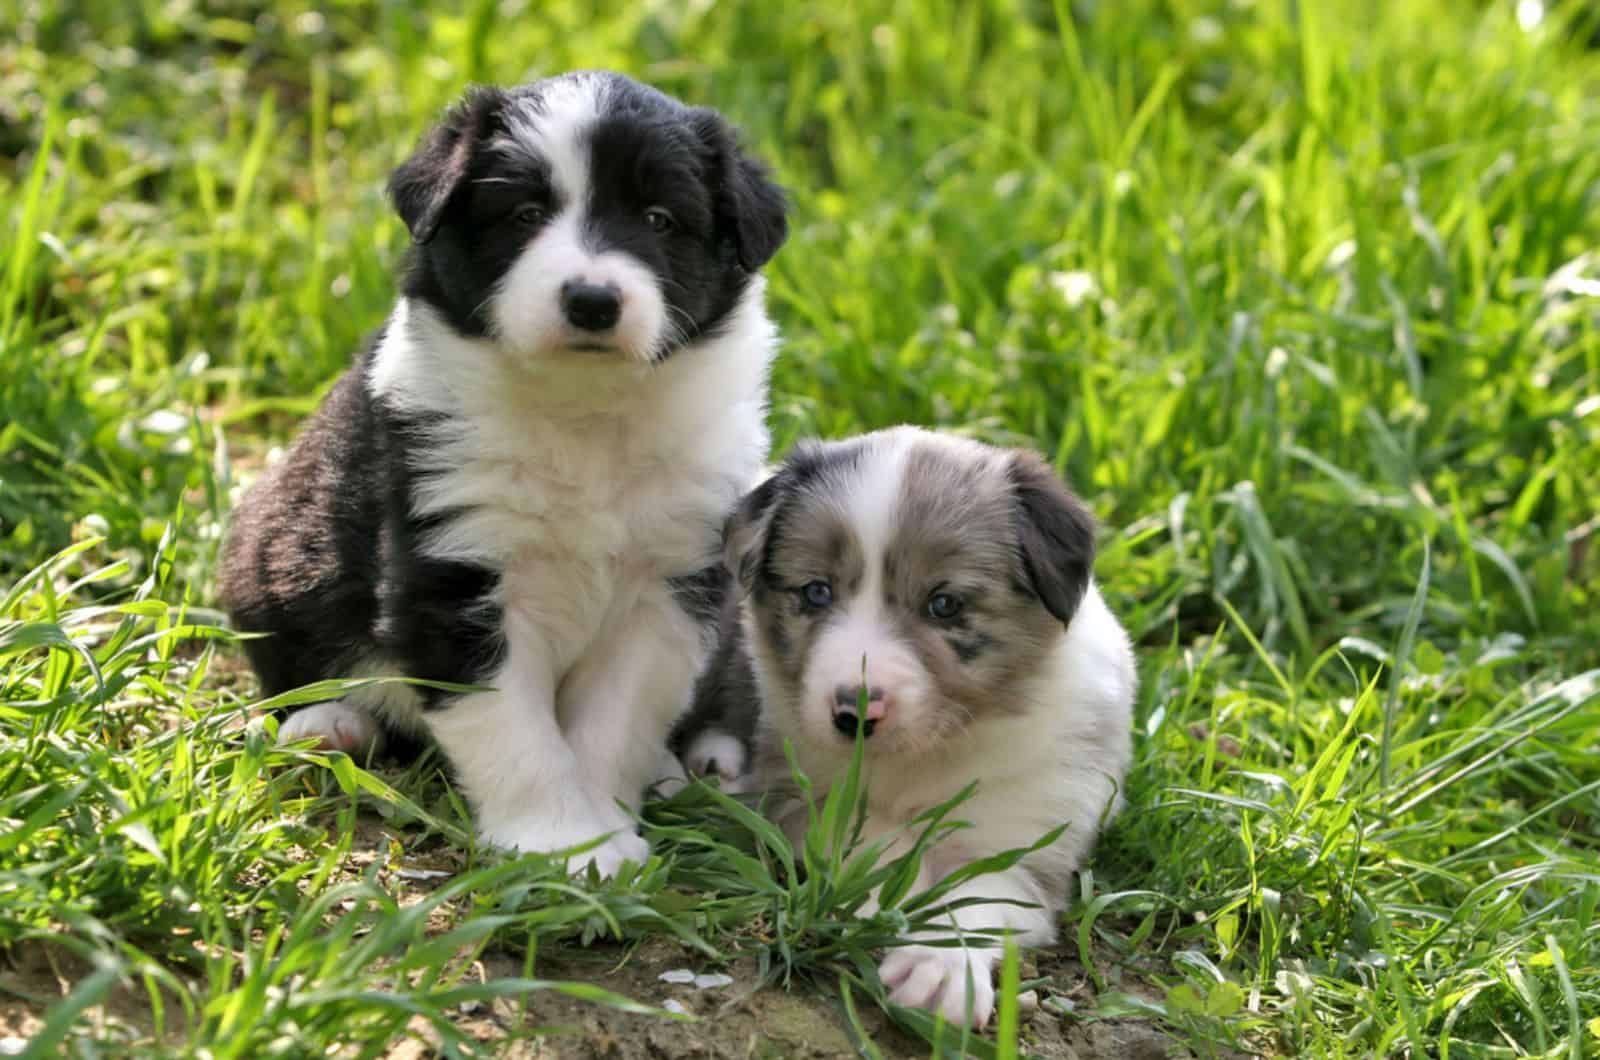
{"points": [[585, 480]]}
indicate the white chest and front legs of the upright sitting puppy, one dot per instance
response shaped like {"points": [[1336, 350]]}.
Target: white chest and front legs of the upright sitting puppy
{"points": [[588, 481]]}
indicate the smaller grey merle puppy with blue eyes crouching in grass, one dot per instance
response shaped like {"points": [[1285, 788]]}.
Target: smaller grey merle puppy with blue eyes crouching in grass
{"points": [[946, 585]]}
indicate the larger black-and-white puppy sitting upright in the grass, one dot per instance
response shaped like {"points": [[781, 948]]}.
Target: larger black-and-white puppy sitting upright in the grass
{"points": [[524, 480]]}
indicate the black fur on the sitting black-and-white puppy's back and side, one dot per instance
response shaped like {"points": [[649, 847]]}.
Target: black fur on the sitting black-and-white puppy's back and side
{"points": [[326, 556]]}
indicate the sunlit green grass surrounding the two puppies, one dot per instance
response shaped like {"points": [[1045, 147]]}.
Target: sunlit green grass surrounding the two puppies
{"points": [[1302, 297]]}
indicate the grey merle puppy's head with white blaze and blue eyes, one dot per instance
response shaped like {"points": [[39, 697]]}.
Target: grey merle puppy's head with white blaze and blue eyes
{"points": [[921, 574]]}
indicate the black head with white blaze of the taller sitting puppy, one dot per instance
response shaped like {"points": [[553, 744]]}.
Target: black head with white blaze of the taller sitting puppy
{"points": [[590, 214]]}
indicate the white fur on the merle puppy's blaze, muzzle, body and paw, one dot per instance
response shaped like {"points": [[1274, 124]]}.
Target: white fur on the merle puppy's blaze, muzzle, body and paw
{"points": [[1057, 755]]}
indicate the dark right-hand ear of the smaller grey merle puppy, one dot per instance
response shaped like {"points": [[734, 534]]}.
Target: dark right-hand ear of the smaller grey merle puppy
{"points": [[1055, 536]]}
